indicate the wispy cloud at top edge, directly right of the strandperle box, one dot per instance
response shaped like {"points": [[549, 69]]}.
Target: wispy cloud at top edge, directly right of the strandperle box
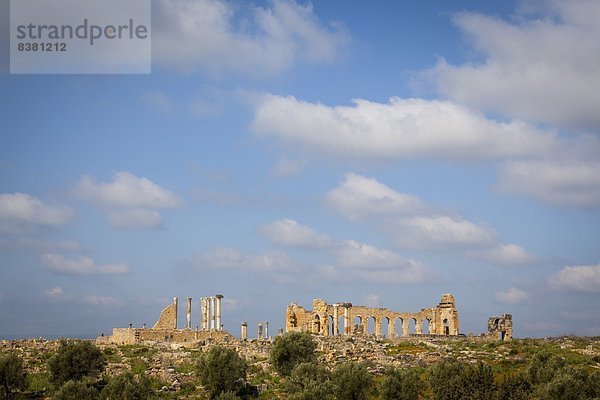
{"points": [[214, 36]]}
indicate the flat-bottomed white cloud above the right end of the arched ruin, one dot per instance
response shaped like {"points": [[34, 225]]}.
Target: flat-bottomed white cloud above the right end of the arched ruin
{"points": [[439, 231]]}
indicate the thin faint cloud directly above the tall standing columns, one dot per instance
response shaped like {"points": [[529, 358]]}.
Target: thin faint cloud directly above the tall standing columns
{"points": [[228, 258]]}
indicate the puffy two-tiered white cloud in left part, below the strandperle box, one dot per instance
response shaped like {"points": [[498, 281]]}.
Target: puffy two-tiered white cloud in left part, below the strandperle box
{"points": [[131, 202]]}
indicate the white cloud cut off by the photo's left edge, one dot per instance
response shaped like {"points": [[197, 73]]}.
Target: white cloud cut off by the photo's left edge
{"points": [[21, 211]]}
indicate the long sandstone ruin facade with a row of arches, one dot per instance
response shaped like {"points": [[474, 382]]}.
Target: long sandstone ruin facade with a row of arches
{"points": [[345, 319]]}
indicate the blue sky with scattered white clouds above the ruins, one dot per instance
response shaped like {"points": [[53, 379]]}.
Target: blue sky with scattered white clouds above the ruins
{"points": [[281, 151]]}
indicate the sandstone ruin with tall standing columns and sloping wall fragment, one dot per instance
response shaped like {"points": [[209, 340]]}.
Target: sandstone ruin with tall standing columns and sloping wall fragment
{"points": [[166, 328]]}
